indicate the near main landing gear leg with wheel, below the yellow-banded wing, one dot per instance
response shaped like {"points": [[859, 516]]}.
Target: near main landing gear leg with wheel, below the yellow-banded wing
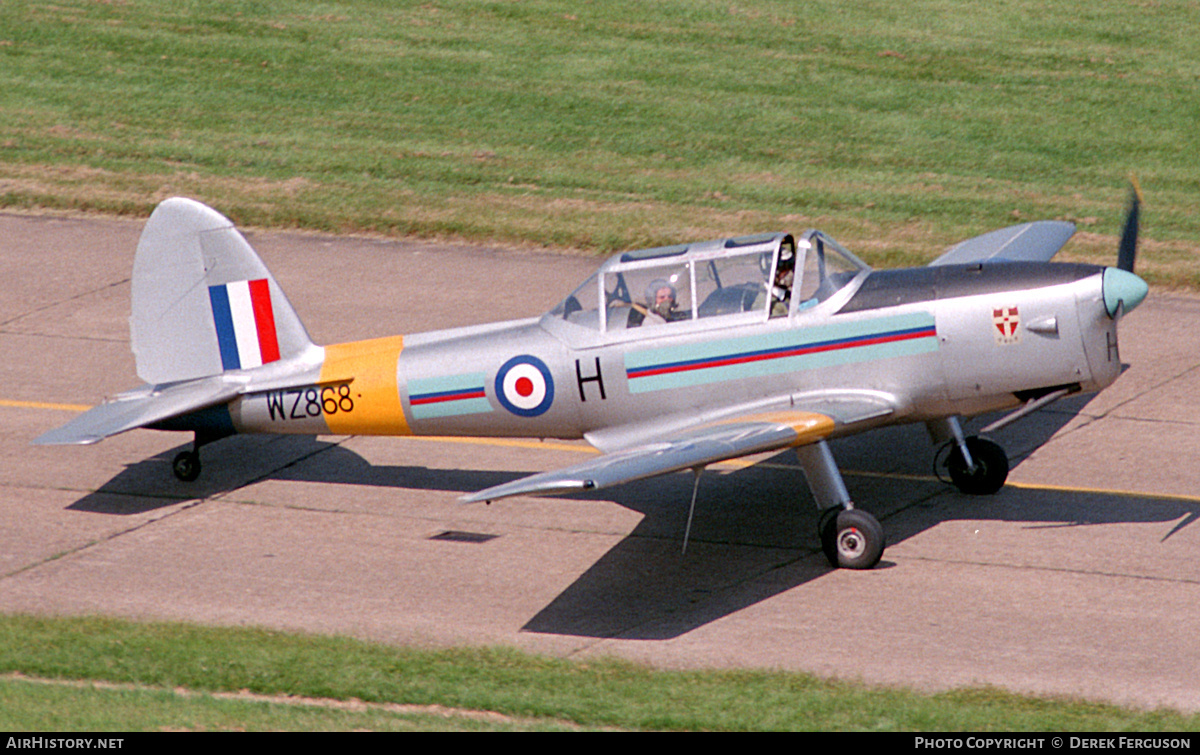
{"points": [[850, 538]]}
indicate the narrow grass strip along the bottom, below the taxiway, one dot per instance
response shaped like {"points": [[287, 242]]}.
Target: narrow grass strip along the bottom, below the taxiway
{"points": [[141, 678]]}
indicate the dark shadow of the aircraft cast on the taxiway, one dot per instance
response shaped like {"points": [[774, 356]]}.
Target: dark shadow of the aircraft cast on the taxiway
{"points": [[754, 535]]}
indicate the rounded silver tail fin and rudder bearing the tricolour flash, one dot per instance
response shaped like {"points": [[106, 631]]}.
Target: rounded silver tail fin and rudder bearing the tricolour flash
{"points": [[203, 302]]}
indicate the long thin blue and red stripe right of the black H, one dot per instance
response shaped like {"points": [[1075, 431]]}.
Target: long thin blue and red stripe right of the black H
{"points": [[826, 346]]}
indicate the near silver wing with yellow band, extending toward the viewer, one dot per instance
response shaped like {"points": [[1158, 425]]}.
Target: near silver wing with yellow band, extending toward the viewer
{"points": [[709, 444]]}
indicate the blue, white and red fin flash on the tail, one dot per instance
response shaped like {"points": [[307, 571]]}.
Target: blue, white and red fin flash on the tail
{"points": [[245, 323]]}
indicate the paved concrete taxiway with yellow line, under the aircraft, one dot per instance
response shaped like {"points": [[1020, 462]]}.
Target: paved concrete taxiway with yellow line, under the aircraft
{"points": [[1081, 578]]}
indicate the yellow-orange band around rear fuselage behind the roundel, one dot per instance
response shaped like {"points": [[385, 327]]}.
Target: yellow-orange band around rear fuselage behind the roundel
{"points": [[369, 370]]}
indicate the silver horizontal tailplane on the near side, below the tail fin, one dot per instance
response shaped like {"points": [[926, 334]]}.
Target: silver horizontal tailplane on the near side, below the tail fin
{"points": [[142, 408]]}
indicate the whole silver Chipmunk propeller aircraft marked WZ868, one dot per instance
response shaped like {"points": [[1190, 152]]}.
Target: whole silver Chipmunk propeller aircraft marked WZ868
{"points": [[665, 359]]}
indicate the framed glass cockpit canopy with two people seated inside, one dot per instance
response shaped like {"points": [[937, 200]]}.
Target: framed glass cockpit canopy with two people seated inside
{"points": [[745, 279]]}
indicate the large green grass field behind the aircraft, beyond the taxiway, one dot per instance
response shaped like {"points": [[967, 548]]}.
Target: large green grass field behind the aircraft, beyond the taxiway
{"points": [[598, 127]]}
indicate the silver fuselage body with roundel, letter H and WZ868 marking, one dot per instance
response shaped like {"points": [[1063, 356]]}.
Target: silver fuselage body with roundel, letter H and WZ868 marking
{"points": [[933, 343]]}
